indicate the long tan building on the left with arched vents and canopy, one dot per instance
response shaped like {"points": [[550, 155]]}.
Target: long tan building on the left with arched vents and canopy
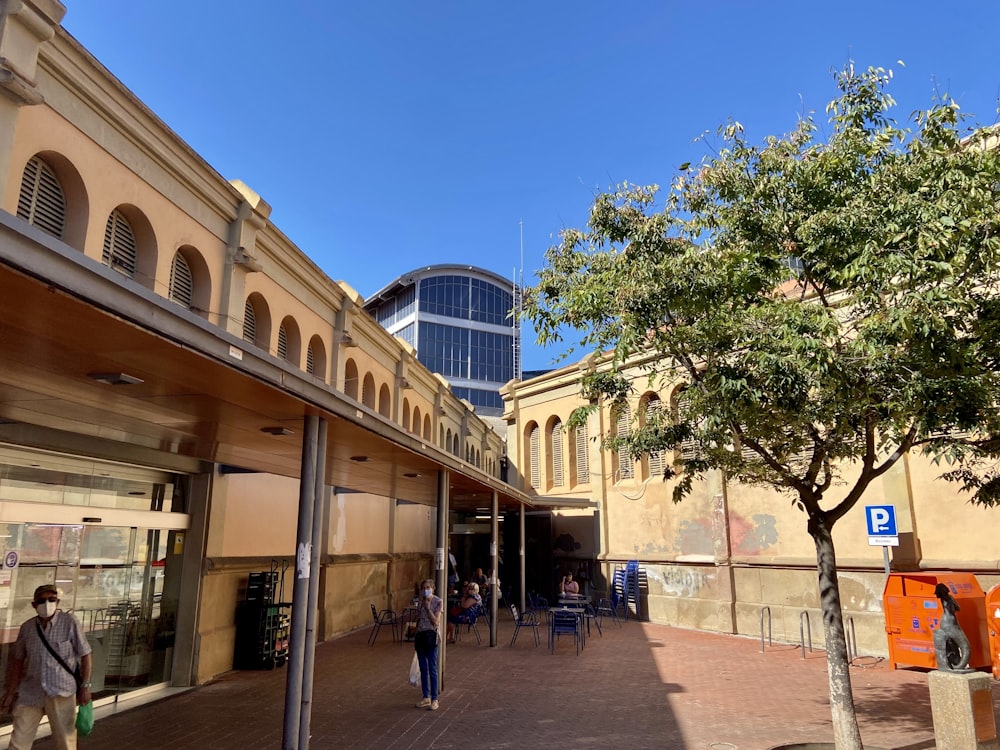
{"points": [[173, 371]]}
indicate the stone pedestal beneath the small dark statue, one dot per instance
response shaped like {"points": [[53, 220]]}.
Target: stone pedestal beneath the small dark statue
{"points": [[962, 708]]}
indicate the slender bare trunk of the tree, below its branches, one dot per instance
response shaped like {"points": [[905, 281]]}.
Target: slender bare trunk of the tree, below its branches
{"points": [[846, 735]]}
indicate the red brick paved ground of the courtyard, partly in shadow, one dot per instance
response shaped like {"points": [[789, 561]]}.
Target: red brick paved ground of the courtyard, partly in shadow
{"points": [[639, 686]]}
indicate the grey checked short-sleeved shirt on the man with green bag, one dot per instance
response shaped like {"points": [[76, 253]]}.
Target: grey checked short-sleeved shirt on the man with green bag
{"points": [[43, 675]]}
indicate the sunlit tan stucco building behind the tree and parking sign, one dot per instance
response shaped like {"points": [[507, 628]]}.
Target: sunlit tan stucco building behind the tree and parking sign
{"points": [[730, 557]]}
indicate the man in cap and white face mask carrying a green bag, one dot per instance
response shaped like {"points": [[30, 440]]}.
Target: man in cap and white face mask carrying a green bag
{"points": [[37, 683]]}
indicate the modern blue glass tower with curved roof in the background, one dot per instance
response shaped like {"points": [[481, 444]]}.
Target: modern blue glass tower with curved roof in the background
{"points": [[460, 321]]}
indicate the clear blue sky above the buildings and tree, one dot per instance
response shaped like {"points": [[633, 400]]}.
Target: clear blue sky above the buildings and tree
{"points": [[390, 134]]}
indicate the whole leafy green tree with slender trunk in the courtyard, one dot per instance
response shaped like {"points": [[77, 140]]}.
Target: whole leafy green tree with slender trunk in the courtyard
{"points": [[830, 304]]}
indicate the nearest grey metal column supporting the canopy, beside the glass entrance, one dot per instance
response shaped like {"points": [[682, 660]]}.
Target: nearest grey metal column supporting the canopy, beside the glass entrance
{"points": [[300, 591]]}
